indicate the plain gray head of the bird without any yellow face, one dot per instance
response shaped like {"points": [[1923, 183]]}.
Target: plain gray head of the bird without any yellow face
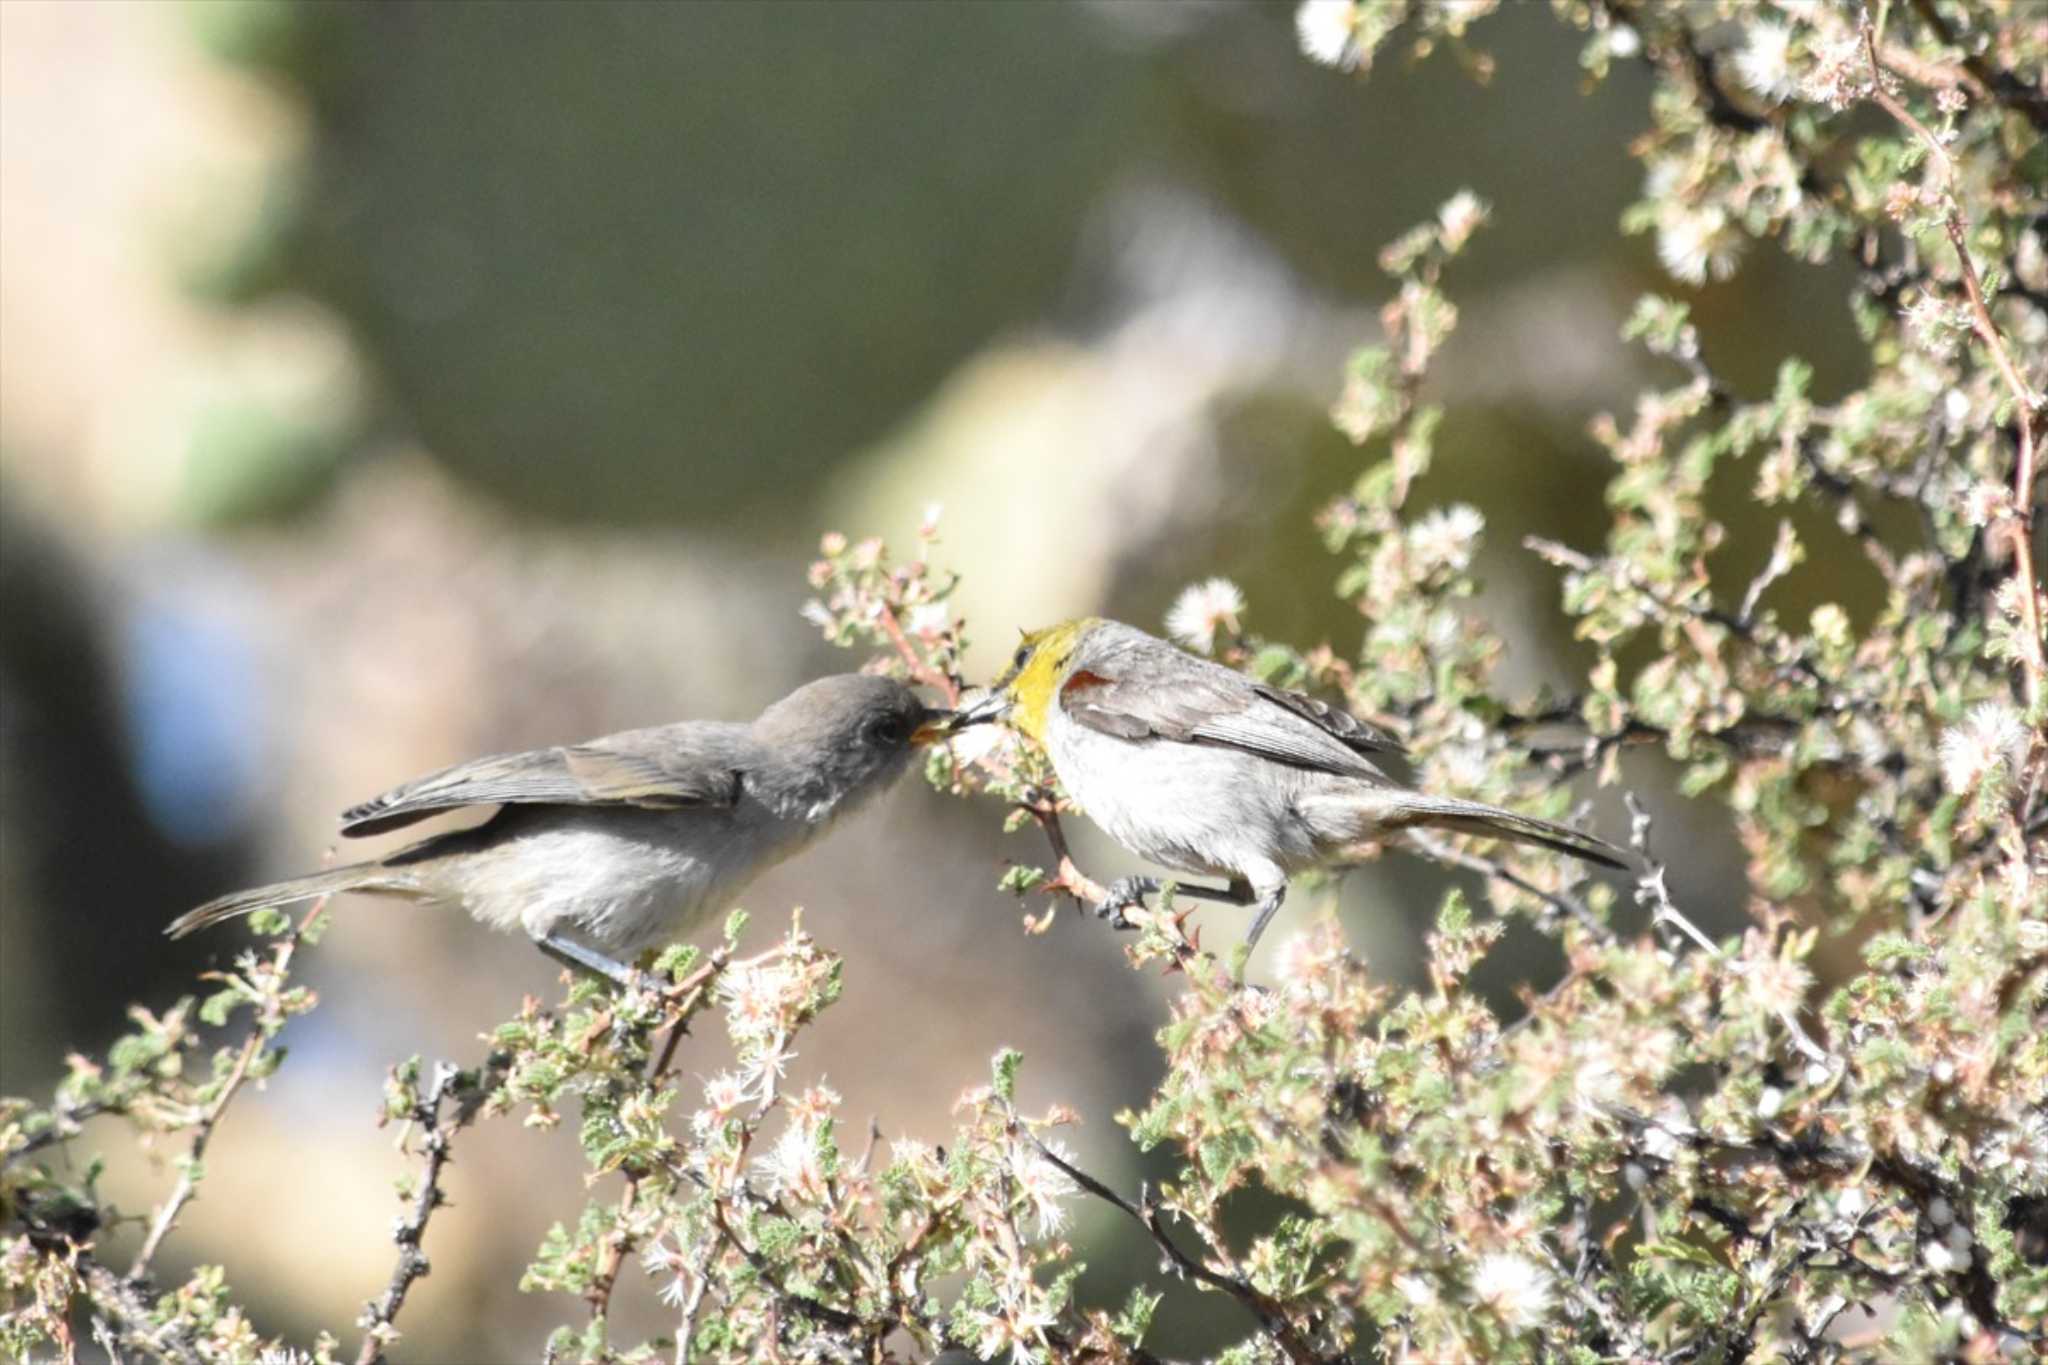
{"points": [[841, 740]]}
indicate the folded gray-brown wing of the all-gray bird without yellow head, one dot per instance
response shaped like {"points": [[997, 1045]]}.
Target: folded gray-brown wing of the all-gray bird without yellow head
{"points": [[693, 764]]}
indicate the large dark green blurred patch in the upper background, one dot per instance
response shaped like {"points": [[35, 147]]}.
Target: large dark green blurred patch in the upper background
{"points": [[566, 232]]}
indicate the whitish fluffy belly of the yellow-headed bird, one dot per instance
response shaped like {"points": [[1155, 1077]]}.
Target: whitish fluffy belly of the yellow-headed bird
{"points": [[1199, 809]]}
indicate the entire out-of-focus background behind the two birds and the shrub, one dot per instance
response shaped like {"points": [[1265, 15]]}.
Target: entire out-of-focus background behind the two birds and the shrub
{"points": [[388, 384]]}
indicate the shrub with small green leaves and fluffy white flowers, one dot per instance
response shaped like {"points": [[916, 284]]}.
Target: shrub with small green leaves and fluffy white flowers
{"points": [[1682, 1149]]}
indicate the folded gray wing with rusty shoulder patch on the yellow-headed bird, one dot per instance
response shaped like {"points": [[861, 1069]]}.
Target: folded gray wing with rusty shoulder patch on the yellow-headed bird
{"points": [[1156, 695]]}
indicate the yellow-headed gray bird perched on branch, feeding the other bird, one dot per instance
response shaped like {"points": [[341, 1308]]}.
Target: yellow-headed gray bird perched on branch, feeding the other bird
{"points": [[1205, 770]]}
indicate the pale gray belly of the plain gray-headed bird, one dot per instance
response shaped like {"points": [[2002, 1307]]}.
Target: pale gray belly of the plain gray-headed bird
{"points": [[617, 879]]}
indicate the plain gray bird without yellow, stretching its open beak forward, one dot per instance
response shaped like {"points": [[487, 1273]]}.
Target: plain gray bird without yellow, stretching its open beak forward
{"points": [[605, 848]]}
